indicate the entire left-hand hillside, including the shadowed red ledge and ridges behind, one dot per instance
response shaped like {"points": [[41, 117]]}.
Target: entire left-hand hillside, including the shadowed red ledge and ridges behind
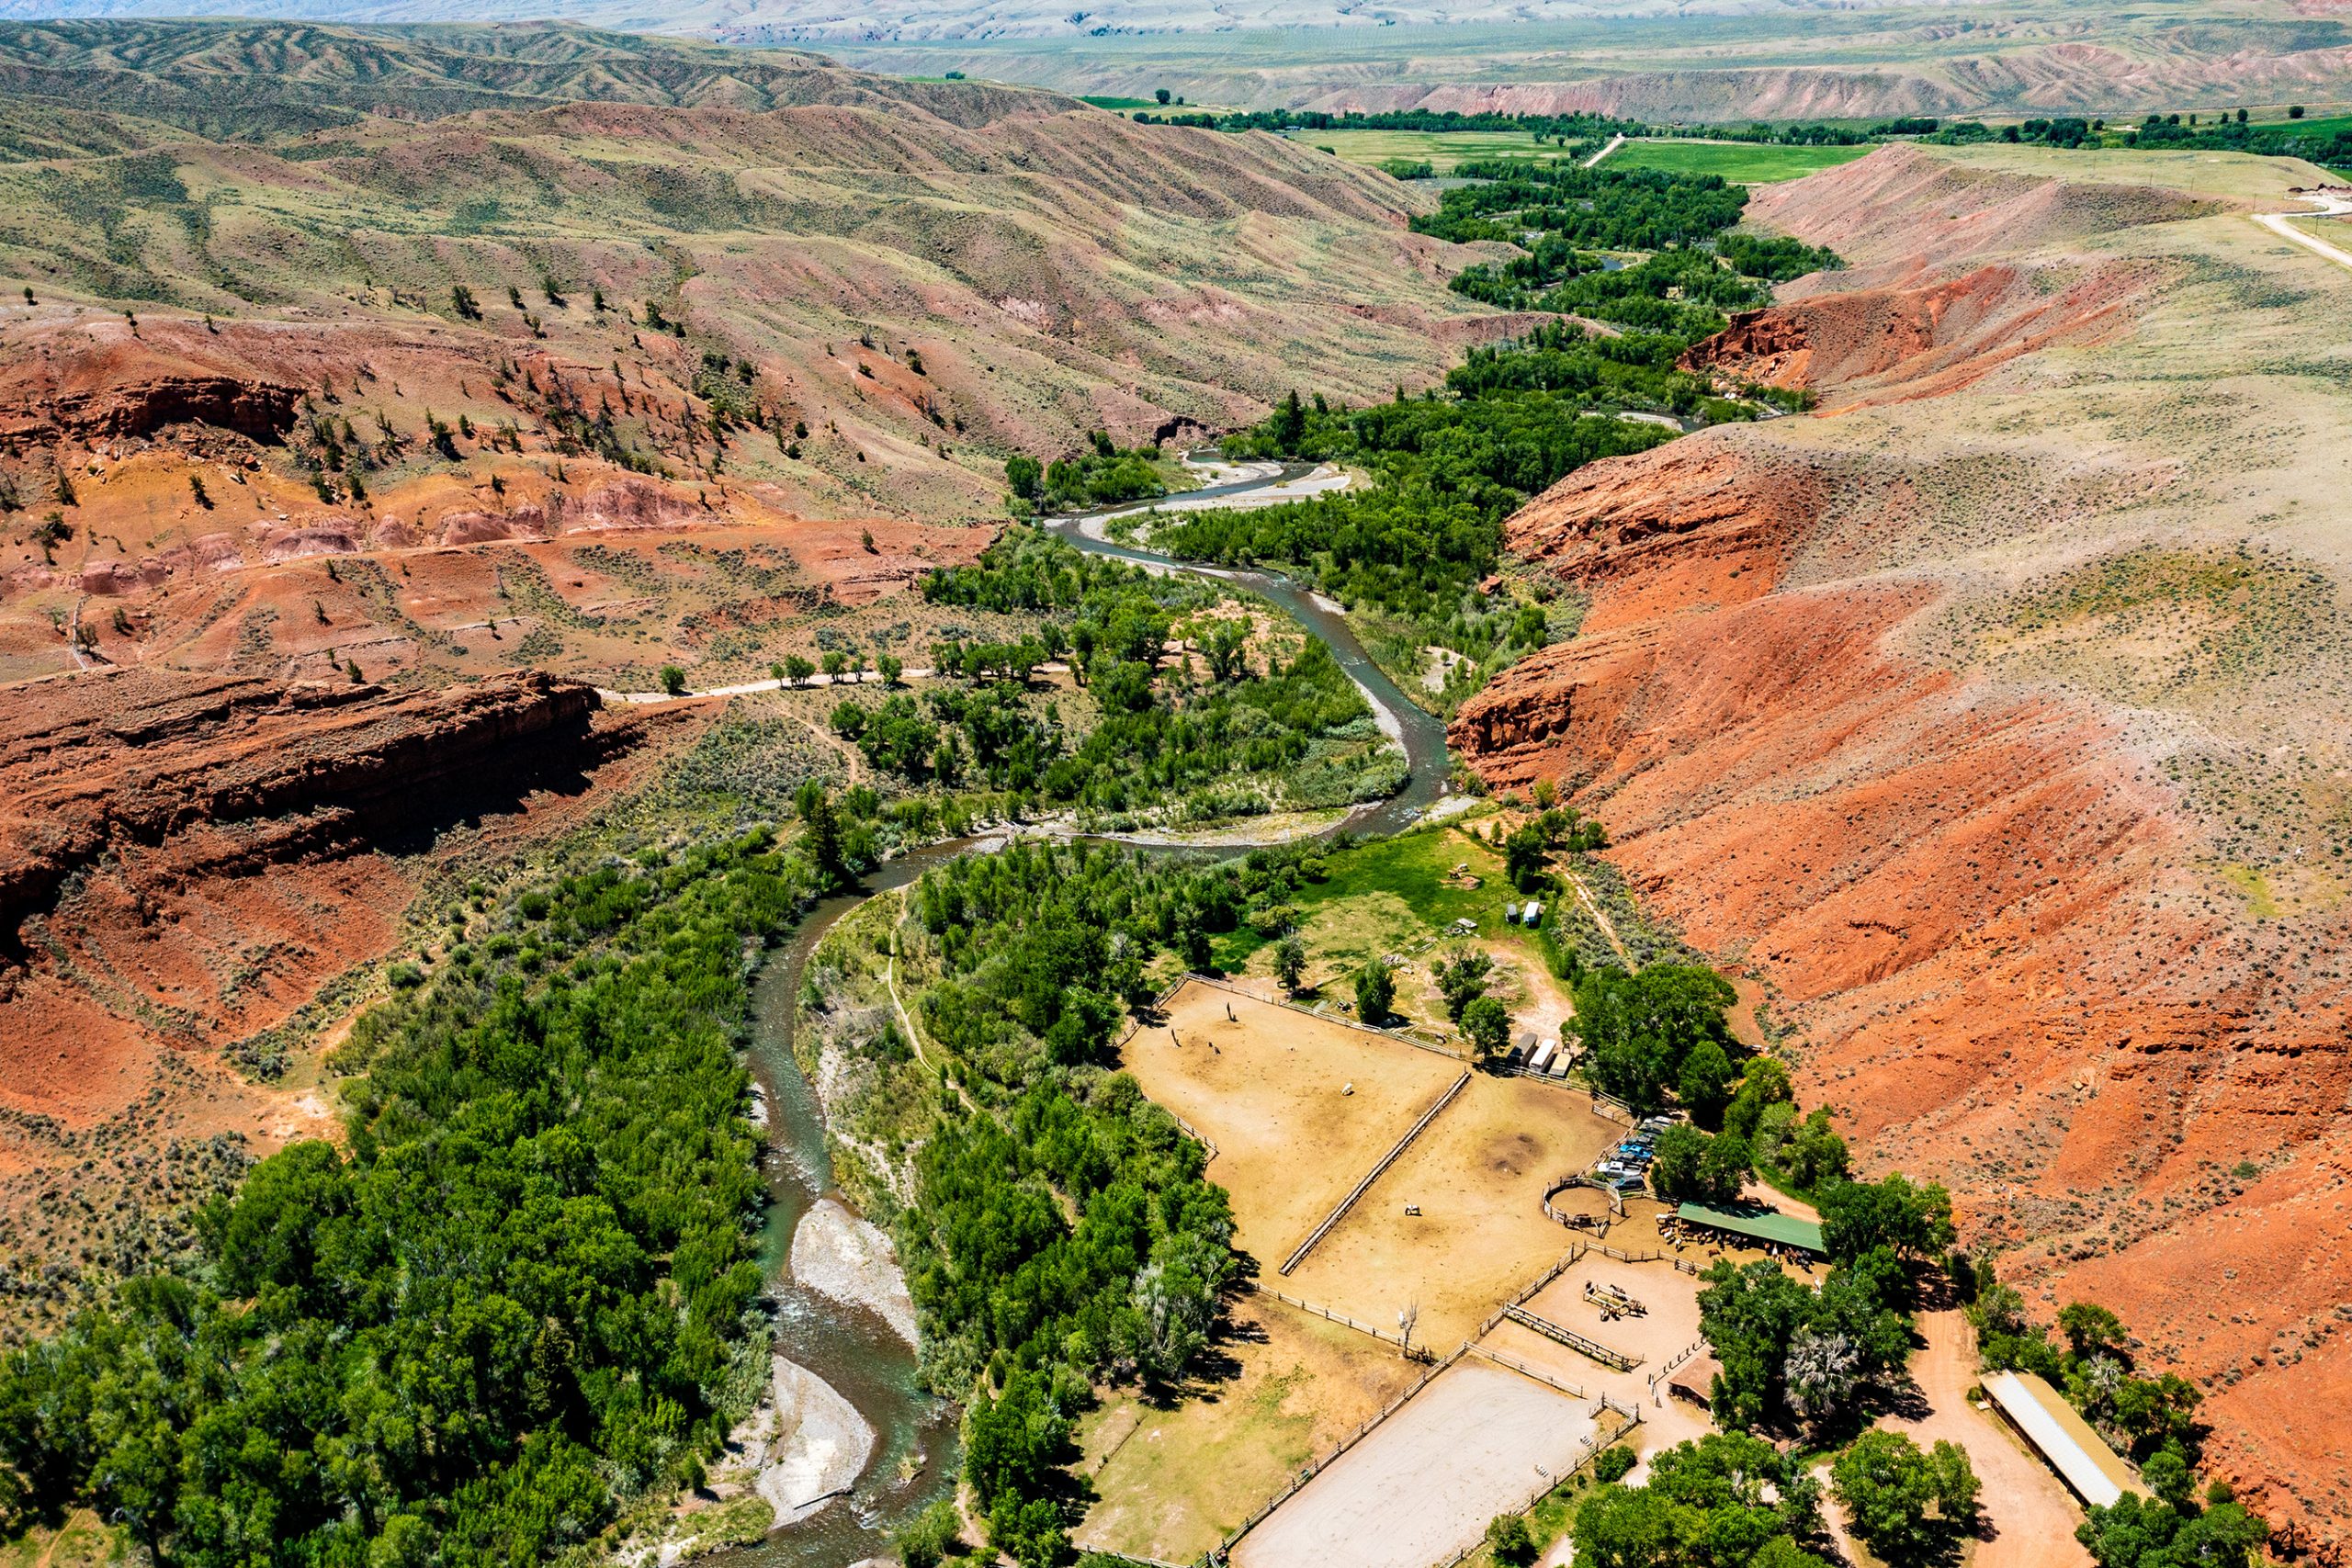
{"points": [[368, 401]]}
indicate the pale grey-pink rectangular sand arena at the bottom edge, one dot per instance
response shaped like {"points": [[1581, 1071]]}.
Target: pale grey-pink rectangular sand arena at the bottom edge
{"points": [[1429, 1480]]}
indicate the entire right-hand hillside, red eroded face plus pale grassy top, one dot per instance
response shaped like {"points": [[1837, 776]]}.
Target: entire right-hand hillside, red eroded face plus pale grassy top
{"points": [[1993, 716]]}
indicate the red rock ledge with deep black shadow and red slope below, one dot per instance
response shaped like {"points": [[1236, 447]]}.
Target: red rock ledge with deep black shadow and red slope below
{"points": [[187, 859]]}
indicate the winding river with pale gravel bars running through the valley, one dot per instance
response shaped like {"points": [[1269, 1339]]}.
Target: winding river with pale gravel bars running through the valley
{"points": [[914, 1459]]}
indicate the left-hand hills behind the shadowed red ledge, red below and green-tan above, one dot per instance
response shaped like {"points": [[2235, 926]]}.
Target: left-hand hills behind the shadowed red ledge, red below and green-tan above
{"points": [[375, 396]]}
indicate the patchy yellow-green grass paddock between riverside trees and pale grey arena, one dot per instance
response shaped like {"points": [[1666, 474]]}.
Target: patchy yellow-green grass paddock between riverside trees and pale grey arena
{"points": [[1283, 1388]]}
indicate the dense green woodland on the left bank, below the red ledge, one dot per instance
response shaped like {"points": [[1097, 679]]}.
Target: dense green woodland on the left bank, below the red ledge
{"points": [[516, 1299]]}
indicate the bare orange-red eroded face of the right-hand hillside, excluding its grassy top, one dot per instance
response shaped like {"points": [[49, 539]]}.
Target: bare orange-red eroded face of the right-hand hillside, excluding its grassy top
{"points": [[1986, 911]]}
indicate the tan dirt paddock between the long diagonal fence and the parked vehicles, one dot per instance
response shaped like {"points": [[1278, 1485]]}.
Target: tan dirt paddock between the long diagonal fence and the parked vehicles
{"points": [[1478, 1177]]}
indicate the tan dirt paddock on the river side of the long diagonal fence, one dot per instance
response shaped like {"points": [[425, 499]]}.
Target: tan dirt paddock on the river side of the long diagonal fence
{"points": [[1267, 1087]]}
